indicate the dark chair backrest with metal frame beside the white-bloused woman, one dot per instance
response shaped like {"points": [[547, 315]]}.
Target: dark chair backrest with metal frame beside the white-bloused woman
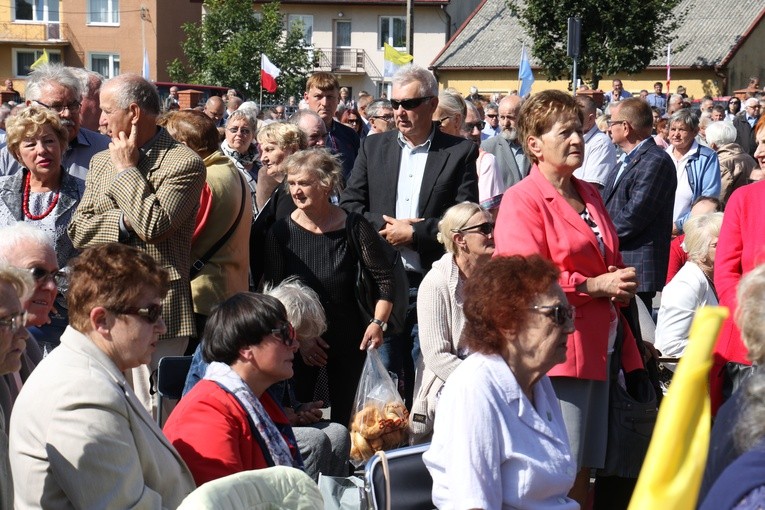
{"points": [[410, 482]]}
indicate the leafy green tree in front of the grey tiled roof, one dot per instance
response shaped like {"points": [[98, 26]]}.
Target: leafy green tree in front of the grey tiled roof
{"points": [[616, 38]]}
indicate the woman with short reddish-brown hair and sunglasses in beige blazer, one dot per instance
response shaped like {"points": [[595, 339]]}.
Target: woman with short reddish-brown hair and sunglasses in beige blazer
{"points": [[80, 438]]}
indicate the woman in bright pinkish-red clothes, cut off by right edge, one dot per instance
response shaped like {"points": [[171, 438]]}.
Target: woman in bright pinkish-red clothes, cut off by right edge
{"points": [[740, 248]]}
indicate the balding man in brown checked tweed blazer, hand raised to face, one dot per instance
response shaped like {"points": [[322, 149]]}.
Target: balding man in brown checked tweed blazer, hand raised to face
{"points": [[144, 191]]}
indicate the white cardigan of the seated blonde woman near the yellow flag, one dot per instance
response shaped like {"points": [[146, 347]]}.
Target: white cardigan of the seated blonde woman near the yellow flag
{"points": [[688, 290]]}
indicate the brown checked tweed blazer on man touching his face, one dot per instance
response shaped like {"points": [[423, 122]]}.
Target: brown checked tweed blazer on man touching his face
{"points": [[160, 197]]}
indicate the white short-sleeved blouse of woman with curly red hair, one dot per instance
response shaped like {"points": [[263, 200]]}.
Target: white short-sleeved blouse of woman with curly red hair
{"points": [[492, 448]]}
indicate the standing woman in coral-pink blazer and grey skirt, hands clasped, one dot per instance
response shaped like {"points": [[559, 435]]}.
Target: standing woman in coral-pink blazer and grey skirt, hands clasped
{"points": [[562, 218]]}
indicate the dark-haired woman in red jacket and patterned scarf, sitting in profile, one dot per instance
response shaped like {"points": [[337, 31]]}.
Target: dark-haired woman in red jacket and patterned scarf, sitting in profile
{"points": [[228, 422]]}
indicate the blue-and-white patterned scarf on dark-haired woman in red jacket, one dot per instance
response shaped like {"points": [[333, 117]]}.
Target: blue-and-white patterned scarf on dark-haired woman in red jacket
{"points": [[222, 374]]}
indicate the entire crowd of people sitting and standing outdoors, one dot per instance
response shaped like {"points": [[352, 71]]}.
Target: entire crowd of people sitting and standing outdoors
{"points": [[532, 232]]}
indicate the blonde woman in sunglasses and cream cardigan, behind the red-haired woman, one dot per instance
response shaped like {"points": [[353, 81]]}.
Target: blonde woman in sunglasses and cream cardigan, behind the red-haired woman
{"points": [[466, 231]]}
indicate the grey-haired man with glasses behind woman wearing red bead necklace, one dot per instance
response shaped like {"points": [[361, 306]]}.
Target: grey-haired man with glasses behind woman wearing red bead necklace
{"points": [[58, 88]]}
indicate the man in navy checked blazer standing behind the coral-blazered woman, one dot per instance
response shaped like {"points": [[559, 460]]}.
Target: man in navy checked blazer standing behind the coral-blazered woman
{"points": [[639, 195]]}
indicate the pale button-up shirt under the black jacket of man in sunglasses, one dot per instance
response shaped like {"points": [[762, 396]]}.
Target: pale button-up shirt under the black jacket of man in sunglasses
{"points": [[410, 173]]}
